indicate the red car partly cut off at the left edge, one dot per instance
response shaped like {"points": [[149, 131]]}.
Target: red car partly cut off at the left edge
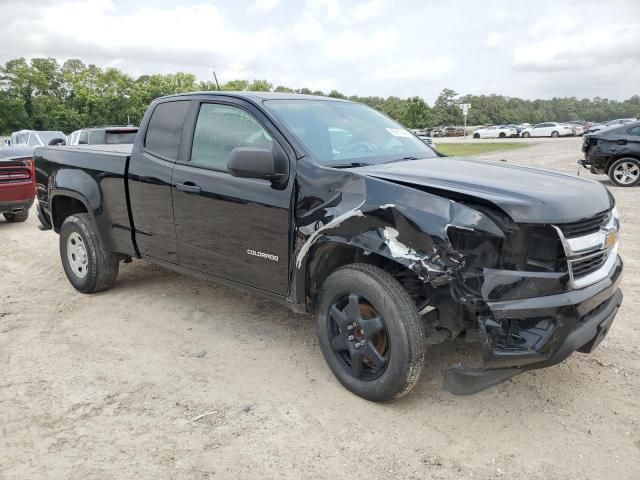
{"points": [[17, 182]]}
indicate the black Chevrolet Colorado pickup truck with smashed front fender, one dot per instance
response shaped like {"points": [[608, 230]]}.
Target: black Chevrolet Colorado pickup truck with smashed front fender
{"points": [[334, 209]]}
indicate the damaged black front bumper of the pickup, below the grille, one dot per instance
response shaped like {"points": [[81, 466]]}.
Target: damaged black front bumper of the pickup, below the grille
{"points": [[539, 332]]}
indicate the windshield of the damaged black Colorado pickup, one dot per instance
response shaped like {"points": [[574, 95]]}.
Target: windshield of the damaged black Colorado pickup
{"points": [[338, 133]]}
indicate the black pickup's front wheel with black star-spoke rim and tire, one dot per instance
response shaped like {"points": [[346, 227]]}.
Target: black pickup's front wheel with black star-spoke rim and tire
{"points": [[371, 334]]}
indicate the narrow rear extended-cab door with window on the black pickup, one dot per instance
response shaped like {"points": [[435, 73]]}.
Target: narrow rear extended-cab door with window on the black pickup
{"points": [[150, 170]]}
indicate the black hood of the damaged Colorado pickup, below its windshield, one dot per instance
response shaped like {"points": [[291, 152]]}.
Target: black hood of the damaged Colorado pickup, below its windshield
{"points": [[527, 195]]}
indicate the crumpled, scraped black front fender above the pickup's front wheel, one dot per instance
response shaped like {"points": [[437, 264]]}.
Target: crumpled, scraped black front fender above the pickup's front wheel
{"points": [[396, 222]]}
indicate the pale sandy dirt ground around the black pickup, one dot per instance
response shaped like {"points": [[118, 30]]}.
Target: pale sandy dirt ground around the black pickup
{"points": [[115, 385]]}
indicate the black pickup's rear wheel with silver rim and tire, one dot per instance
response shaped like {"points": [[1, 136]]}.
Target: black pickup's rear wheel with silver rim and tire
{"points": [[89, 266]]}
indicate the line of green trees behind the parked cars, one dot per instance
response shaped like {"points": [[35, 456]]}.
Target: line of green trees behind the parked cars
{"points": [[41, 94]]}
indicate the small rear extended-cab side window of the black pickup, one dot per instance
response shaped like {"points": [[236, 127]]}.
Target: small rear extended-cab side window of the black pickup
{"points": [[165, 129]]}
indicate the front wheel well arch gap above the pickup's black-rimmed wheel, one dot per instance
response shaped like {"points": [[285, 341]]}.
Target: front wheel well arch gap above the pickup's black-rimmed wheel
{"points": [[330, 256]]}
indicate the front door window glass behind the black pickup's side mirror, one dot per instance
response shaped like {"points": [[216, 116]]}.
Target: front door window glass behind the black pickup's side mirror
{"points": [[220, 129]]}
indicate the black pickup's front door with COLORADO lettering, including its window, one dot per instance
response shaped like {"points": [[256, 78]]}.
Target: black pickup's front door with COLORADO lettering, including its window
{"points": [[231, 227]]}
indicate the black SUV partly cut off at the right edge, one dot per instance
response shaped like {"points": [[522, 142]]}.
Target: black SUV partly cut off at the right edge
{"points": [[614, 152]]}
